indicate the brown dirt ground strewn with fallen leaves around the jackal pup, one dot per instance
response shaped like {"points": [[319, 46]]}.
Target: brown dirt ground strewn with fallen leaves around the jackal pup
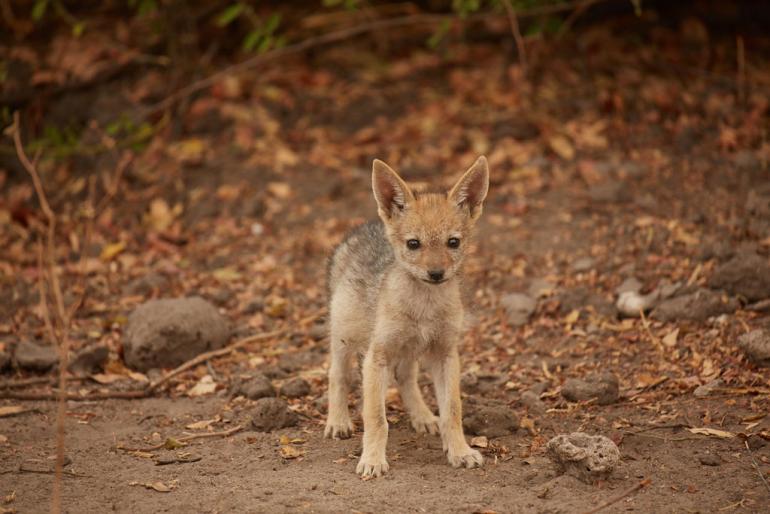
{"points": [[628, 150]]}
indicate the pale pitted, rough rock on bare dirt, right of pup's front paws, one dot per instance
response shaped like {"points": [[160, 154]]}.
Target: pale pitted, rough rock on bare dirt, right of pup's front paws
{"points": [[586, 457]]}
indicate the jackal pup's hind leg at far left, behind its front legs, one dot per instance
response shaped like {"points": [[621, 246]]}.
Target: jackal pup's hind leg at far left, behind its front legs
{"points": [[338, 423]]}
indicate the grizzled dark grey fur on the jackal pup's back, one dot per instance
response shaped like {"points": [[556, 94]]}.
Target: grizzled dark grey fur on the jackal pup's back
{"points": [[360, 261]]}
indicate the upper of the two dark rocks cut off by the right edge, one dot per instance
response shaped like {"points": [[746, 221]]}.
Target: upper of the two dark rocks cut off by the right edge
{"points": [[746, 274]]}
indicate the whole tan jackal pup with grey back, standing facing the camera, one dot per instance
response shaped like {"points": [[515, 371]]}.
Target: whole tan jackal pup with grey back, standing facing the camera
{"points": [[395, 300]]}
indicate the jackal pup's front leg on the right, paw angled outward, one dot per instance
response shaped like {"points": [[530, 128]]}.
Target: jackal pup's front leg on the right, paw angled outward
{"points": [[446, 379]]}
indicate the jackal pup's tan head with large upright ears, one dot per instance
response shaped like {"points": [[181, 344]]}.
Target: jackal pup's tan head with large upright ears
{"points": [[429, 231]]}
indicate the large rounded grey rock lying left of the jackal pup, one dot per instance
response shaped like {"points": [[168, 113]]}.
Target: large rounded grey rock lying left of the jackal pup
{"points": [[166, 333]]}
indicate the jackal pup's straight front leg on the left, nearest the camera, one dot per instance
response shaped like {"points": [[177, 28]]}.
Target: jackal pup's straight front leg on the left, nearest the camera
{"points": [[375, 381]]}
